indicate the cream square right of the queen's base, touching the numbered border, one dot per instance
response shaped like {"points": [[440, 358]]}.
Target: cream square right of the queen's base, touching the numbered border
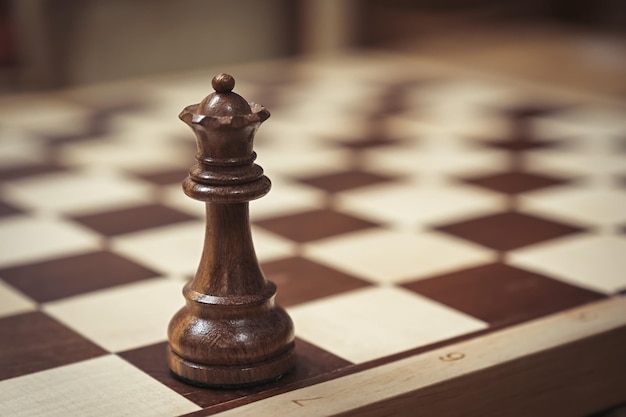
{"points": [[374, 322]]}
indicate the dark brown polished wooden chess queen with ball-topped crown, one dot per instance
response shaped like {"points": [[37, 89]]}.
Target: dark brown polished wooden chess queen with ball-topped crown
{"points": [[230, 333]]}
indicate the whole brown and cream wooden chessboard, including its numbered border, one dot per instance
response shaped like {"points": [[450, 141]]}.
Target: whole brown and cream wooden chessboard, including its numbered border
{"points": [[447, 242]]}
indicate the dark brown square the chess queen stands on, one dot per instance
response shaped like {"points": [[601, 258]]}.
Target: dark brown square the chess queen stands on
{"points": [[311, 362]]}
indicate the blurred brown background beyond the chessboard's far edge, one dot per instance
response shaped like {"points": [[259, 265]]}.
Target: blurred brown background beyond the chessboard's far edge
{"points": [[57, 43]]}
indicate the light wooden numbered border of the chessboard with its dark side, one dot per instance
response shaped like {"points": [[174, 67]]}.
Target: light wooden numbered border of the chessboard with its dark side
{"points": [[569, 363]]}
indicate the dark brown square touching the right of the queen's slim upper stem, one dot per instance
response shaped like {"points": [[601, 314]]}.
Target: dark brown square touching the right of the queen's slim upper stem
{"points": [[312, 225]]}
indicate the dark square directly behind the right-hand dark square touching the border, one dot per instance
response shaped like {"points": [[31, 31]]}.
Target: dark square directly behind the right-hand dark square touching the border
{"points": [[508, 231]]}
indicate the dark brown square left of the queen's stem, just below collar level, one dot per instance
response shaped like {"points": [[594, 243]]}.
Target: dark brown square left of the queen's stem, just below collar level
{"points": [[128, 220]]}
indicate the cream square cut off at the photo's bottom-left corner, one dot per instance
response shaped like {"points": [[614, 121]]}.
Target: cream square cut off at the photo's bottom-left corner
{"points": [[105, 386]]}
